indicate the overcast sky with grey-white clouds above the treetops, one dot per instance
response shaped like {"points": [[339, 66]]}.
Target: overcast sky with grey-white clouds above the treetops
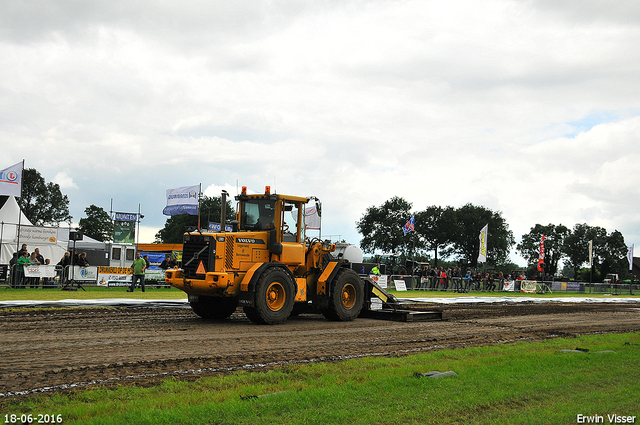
{"points": [[531, 108]]}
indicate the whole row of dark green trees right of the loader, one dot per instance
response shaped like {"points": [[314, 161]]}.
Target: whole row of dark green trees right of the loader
{"points": [[453, 233]]}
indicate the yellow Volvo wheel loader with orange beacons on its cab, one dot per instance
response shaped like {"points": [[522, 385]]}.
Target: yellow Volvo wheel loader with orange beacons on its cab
{"points": [[267, 266]]}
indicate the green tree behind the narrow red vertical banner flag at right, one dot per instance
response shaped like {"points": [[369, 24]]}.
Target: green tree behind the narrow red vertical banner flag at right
{"points": [[554, 246]]}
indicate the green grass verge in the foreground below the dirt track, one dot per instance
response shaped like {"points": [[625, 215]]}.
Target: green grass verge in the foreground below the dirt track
{"points": [[519, 383]]}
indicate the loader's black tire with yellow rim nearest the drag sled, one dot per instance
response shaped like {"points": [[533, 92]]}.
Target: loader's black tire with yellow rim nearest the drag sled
{"points": [[347, 297]]}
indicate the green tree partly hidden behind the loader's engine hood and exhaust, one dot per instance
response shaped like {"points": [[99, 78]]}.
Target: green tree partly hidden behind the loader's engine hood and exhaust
{"points": [[175, 226]]}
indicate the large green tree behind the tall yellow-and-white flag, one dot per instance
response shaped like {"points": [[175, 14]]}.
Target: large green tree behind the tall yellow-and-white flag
{"points": [[466, 242]]}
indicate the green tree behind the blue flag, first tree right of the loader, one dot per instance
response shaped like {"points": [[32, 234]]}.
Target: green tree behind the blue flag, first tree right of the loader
{"points": [[381, 227]]}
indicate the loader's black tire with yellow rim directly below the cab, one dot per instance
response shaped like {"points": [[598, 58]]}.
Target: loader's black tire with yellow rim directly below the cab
{"points": [[275, 295]]}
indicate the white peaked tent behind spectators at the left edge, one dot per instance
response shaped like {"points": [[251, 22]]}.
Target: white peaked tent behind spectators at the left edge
{"points": [[46, 239]]}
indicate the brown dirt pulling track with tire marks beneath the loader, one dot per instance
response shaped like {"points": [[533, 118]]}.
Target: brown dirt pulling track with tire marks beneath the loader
{"points": [[57, 348]]}
